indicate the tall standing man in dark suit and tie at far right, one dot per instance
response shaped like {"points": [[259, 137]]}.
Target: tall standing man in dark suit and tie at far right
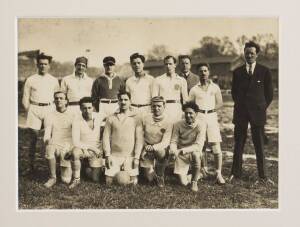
{"points": [[252, 93]]}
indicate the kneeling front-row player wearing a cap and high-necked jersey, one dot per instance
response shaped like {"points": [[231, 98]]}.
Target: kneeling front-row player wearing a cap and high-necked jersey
{"points": [[157, 135]]}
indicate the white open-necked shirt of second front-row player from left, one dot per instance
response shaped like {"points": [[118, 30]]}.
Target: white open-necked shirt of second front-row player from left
{"points": [[84, 136]]}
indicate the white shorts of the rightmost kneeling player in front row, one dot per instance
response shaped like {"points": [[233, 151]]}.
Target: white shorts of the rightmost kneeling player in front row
{"points": [[183, 162]]}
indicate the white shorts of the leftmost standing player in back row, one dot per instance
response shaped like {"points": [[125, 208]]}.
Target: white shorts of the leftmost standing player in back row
{"points": [[36, 115]]}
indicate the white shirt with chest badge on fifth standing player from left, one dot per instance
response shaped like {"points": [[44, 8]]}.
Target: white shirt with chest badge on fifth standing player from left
{"points": [[170, 87]]}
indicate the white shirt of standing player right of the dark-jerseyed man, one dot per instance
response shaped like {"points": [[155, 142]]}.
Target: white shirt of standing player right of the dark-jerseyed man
{"points": [[140, 89]]}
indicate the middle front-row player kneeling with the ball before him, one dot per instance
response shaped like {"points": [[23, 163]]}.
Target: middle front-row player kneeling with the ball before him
{"points": [[122, 141]]}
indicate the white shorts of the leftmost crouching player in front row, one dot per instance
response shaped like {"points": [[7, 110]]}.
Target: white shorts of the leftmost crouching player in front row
{"points": [[56, 150]]}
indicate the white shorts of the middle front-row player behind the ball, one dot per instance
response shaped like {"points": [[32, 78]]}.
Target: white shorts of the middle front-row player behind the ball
{"points": [[118, 162]]}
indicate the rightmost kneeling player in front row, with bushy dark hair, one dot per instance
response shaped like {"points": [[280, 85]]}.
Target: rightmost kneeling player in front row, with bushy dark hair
{"points": [[187, 141]]}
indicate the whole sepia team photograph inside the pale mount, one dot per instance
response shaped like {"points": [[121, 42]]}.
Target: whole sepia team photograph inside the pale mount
{"points": [[148, 113]]}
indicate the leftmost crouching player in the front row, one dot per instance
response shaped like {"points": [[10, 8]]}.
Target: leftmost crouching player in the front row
{"points": [[58, 139]]}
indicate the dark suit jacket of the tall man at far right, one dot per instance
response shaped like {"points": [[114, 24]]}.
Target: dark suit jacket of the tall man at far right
{"points": [[252, 95]]}
